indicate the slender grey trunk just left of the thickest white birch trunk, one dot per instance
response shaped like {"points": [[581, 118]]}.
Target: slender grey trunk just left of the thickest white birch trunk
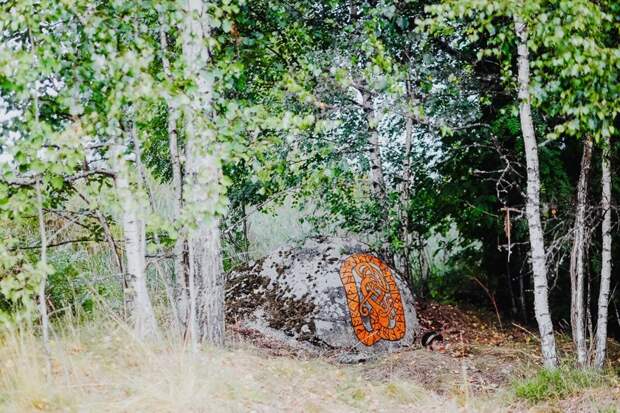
{"points": [[180, 270]]}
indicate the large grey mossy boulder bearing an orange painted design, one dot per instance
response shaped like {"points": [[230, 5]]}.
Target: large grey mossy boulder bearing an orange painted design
{"points": [[330, 292]]}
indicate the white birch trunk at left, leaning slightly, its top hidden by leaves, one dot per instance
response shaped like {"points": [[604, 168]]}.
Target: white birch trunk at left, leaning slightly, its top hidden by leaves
{"points": [[139, 302]]}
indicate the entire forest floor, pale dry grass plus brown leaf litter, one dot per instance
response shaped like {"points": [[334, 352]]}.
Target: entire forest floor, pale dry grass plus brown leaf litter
{"points": [[99, 367]]}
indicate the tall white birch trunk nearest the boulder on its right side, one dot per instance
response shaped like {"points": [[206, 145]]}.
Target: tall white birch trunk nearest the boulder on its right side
{"points": [[537, 244]]}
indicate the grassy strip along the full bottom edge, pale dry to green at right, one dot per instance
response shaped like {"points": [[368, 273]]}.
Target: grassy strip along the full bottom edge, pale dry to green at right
{"points": [[99, 367]]}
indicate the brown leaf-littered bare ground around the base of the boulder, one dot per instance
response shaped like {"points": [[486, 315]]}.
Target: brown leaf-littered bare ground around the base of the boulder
{"points": [[479, 358]]}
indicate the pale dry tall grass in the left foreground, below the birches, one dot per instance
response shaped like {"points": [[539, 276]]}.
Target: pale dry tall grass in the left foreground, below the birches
{"points": [[98, 366]]}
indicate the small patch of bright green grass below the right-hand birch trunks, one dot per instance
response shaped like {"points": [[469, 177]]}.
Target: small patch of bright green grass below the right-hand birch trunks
{"points": [[557, 384]]}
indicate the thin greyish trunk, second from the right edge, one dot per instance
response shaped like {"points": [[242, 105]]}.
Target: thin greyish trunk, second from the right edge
{"points": [[577, 263]]}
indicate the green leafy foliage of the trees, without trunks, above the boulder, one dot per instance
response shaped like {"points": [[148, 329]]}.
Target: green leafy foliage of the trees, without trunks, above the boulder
{"points": [[298, 89]]}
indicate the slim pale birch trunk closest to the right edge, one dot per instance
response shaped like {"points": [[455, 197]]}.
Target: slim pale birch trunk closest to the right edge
{"points": [[603, 298]]}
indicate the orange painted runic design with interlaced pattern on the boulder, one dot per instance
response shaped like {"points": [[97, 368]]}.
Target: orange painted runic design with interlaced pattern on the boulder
{"points": [[373, 299]]}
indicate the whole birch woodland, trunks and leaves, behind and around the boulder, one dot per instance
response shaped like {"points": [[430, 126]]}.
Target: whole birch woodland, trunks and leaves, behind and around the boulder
{"points": [[149, 147]]}
